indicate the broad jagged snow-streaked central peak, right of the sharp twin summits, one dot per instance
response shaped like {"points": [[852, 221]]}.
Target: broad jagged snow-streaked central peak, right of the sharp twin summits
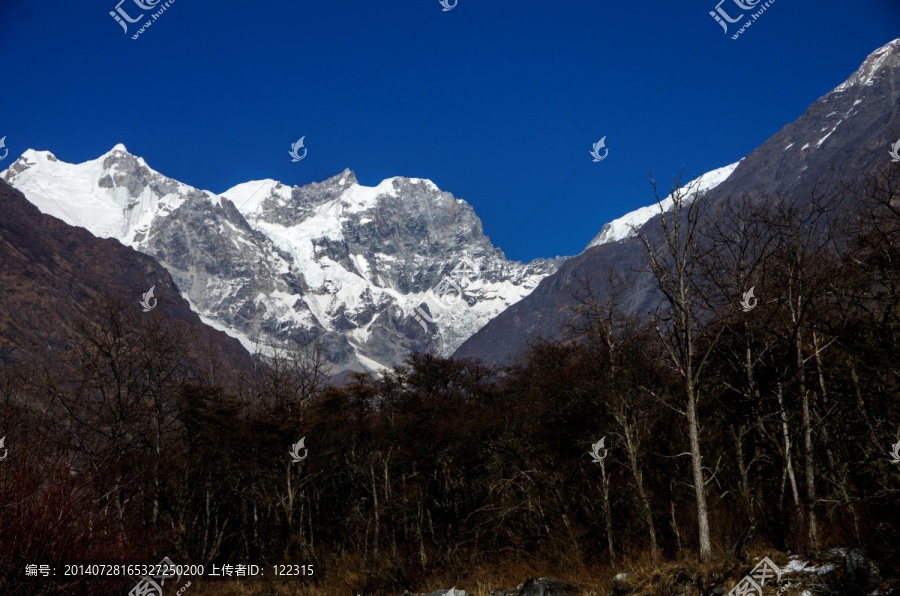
{"points": [[398, 239]]}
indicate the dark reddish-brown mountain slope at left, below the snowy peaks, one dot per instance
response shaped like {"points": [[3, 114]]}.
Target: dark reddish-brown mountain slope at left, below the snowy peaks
{"points": [[52, 275]]}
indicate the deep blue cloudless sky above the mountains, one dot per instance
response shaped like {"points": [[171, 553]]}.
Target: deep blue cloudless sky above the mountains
{"points": [[496, 102]]}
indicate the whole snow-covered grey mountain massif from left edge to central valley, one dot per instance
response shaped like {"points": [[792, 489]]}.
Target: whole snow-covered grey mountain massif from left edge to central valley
{"points": [[353, 265]]}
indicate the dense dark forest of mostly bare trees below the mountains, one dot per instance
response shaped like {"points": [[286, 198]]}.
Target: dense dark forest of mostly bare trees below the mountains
{"points": [[728, 430]]}
